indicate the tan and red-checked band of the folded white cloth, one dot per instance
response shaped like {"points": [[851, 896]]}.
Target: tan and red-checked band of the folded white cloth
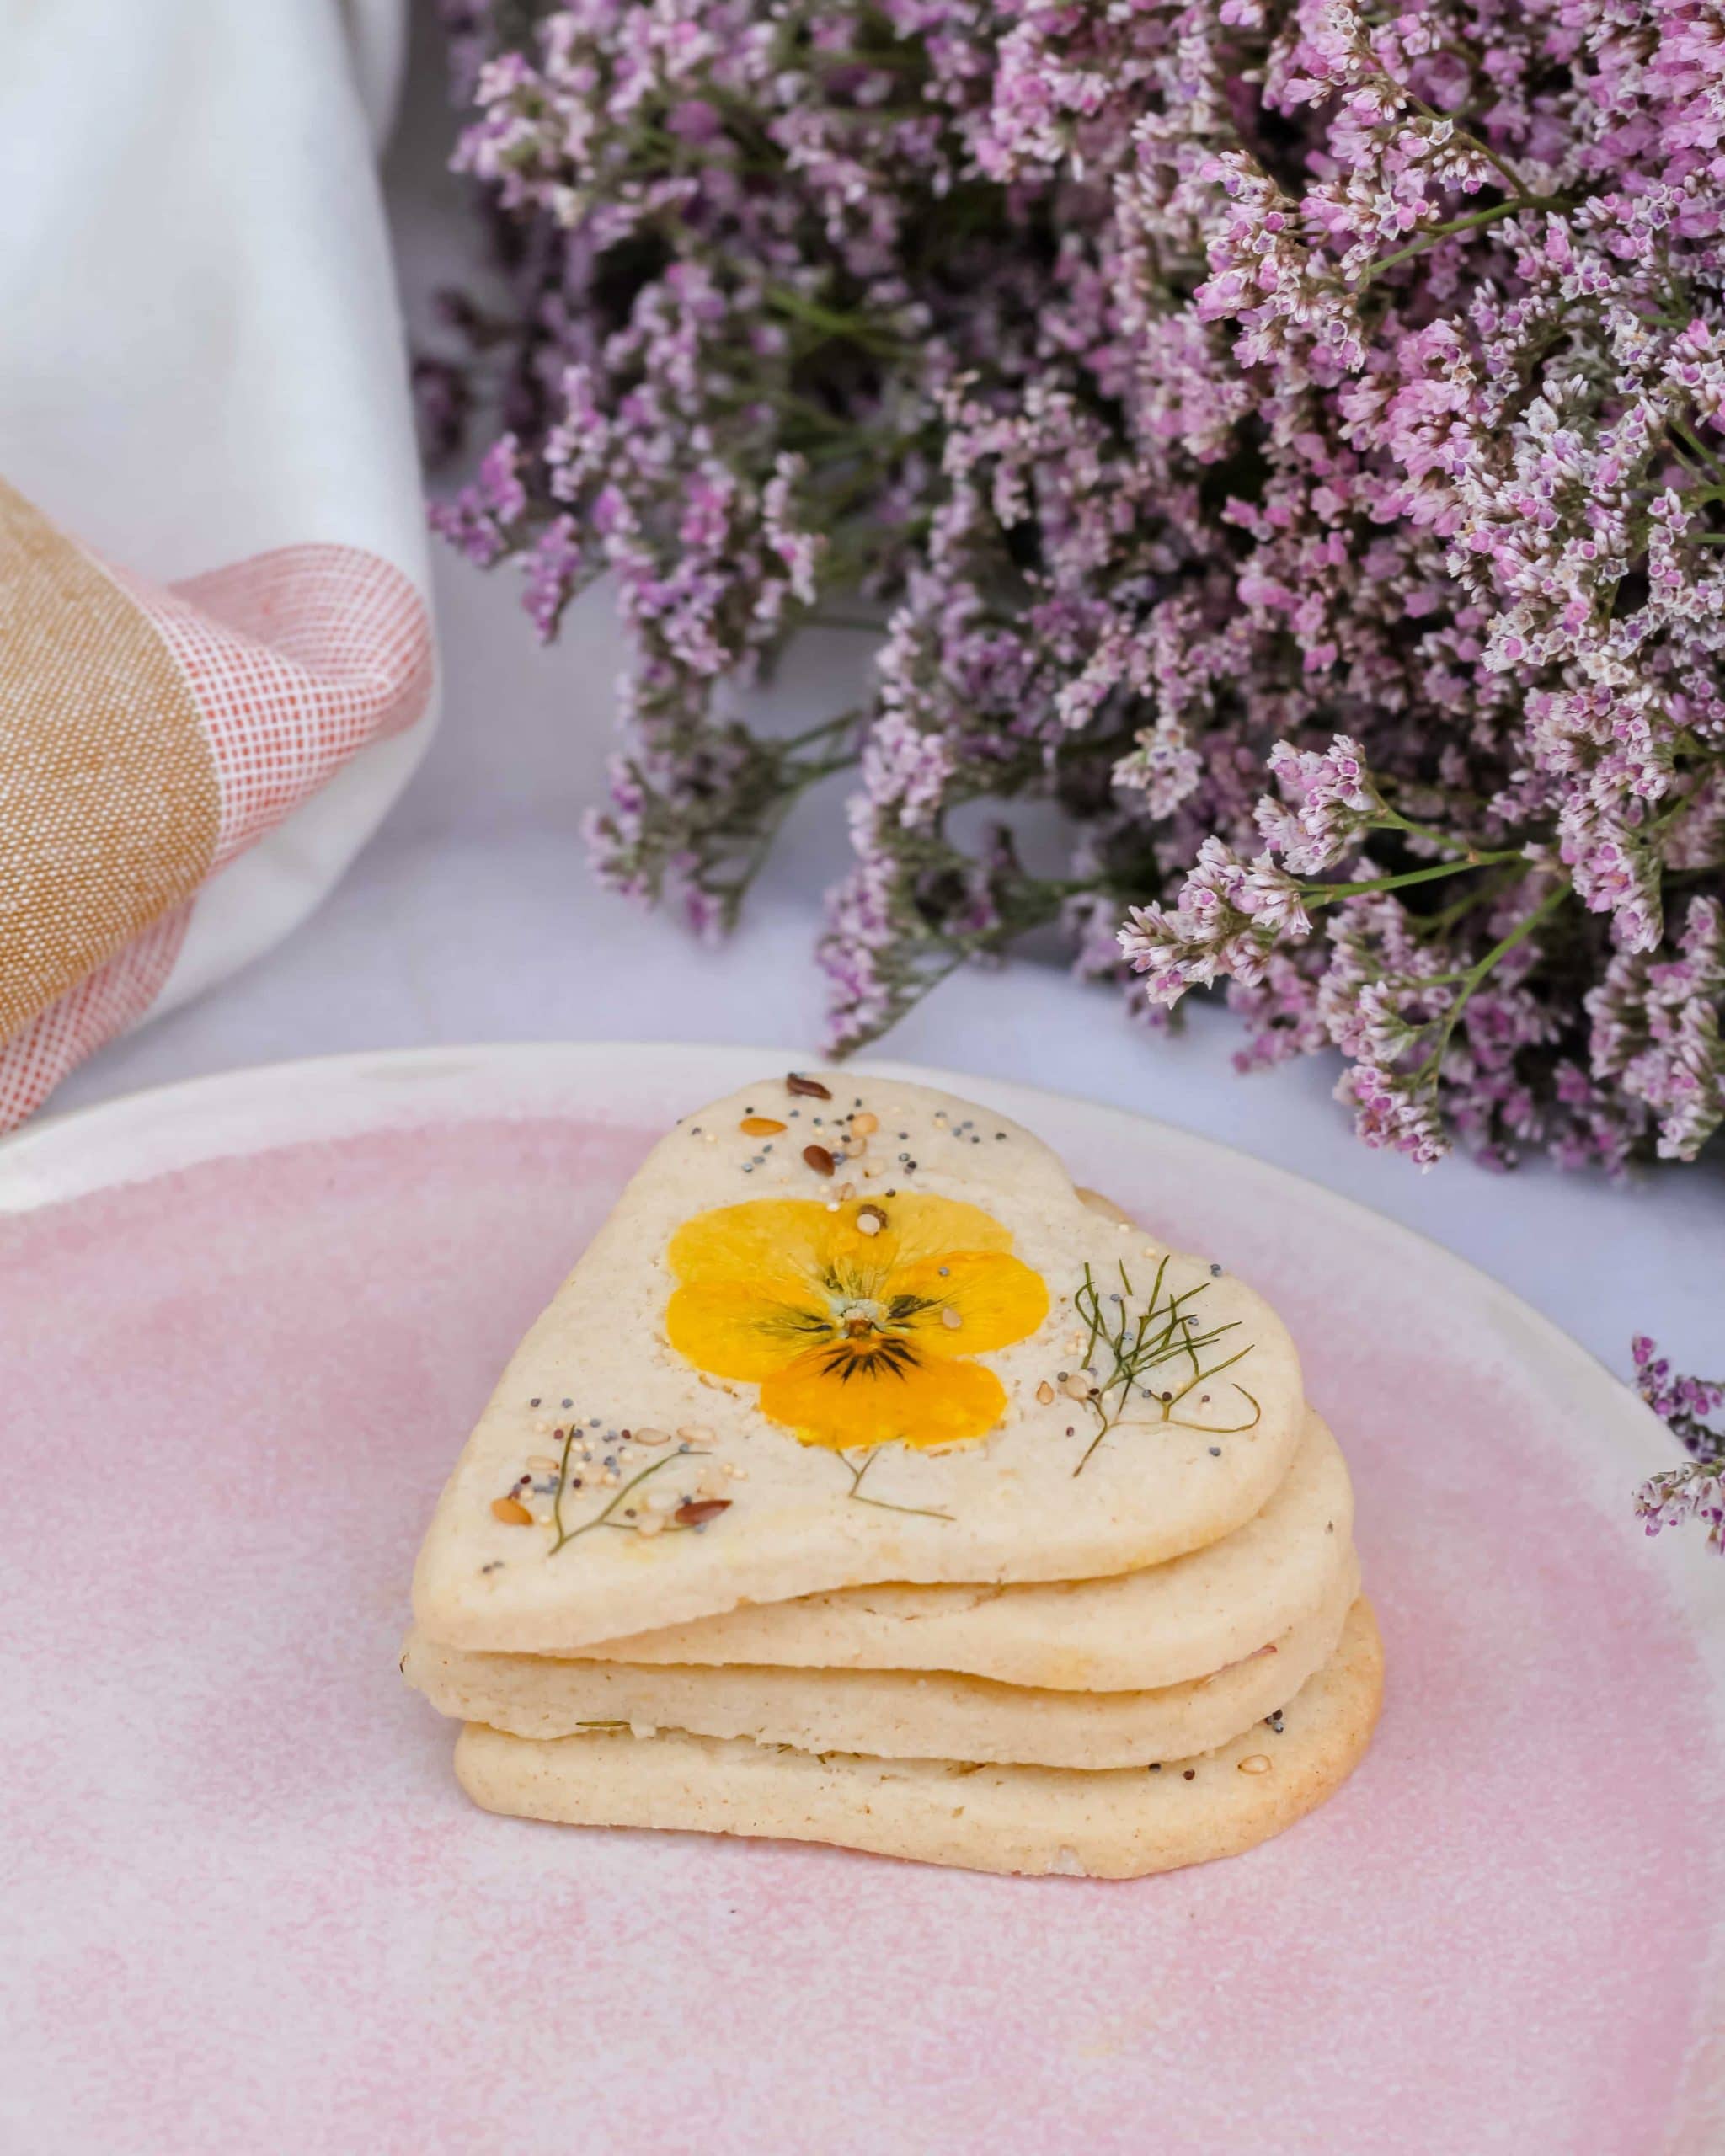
{"points": [[150, 736]]}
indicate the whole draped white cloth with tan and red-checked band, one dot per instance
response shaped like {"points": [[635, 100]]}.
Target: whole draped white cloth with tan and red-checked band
{"points": [[215, 650]]}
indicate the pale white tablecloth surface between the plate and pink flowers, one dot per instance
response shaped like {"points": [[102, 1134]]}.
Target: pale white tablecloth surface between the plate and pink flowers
{"points": [[473, 917]]}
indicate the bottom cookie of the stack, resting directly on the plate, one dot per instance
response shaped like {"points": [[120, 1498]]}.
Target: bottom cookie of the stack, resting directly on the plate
{"points": [[986, 1819]]}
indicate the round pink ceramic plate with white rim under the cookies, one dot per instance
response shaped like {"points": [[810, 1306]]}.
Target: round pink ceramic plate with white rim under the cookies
{"points": [[245, 1327]]}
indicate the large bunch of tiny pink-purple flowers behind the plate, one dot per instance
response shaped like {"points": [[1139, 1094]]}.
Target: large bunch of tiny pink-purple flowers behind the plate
{"points": [[1284, 434]]}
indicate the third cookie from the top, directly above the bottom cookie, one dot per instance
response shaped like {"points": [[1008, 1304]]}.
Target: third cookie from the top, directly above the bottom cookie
{"points": [[883, 1713]]}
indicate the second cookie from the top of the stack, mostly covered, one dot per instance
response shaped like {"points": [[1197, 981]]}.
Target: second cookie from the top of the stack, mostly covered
{"points": [[1131, 1633]]}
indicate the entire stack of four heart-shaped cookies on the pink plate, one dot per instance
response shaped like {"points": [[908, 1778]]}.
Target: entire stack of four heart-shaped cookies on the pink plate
{"points": [[872, 1484]]}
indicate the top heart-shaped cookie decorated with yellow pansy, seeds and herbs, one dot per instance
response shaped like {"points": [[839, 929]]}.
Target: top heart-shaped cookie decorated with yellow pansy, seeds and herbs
{"points": [[844, 1331]]}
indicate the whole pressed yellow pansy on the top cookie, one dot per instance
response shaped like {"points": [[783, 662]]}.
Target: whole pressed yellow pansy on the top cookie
{"points": [[857, 1323]]}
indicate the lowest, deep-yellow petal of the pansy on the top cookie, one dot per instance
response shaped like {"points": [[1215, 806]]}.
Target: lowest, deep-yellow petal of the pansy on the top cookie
{"points": [[911, 1402]]}
